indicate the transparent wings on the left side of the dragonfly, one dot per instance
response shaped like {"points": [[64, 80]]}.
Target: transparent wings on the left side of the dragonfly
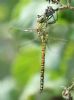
{"points": [[24, 36]]}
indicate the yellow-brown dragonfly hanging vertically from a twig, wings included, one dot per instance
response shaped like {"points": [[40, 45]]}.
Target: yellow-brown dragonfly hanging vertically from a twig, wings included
{"points": [[42, 30]]}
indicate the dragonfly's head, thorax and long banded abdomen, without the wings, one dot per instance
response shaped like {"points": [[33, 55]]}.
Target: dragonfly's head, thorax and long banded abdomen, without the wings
{"points": [[43, 22]]}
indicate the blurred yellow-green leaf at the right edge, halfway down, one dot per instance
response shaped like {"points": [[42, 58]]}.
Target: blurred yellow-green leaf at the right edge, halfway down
{"points": [[66, 62]]}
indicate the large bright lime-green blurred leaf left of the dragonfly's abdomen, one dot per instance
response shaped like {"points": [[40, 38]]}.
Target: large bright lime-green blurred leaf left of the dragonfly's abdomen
{"points": [[26, 64]]}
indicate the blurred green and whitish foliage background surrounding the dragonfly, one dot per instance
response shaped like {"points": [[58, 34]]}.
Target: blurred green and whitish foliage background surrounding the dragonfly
{"points": [[20, 52]]}
